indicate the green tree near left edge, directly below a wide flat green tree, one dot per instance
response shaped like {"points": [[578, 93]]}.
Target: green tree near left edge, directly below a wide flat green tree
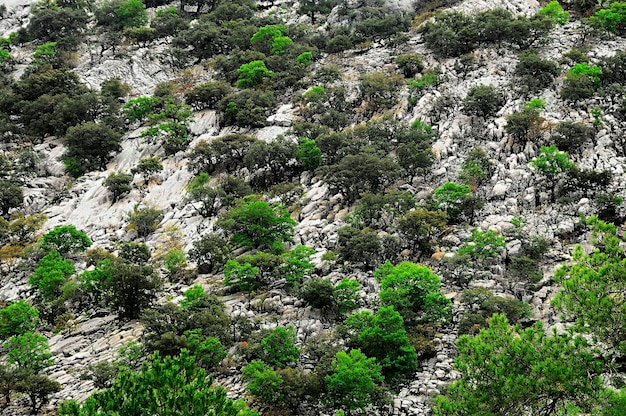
{"points": [[50, 274]]}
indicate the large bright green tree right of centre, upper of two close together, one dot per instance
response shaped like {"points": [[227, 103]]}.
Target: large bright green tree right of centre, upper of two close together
{"points": [[414, 291]]}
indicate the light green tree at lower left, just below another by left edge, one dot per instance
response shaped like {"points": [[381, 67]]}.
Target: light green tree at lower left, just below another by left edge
{"points": [[29, 351]]}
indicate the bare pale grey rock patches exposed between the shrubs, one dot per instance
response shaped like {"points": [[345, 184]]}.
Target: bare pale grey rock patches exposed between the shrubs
{"points": [[512, 192]]}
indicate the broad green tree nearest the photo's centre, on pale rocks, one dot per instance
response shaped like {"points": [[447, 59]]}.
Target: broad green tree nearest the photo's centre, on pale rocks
{"points": [[256, 224]]}
